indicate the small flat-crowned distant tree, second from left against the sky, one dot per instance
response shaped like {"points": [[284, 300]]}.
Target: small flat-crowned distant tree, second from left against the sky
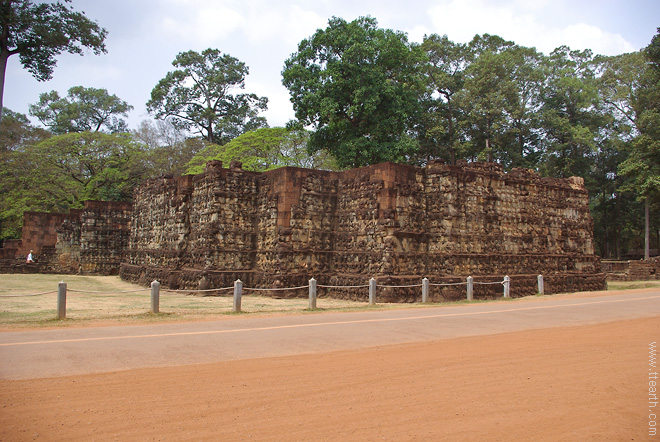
{"points": [[83, 109]]}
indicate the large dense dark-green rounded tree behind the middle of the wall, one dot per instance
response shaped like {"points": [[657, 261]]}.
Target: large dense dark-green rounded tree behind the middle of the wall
{"points": [[357, 85]]}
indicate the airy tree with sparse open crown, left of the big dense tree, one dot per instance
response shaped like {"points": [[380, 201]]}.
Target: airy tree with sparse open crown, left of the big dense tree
{"points": [[198, 96]]}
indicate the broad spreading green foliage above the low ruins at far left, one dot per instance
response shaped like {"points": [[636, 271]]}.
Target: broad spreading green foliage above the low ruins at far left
{"points": [[61, 172]]}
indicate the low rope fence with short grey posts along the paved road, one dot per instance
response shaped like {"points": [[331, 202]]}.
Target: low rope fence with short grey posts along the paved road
{"points": [[312, 287]]}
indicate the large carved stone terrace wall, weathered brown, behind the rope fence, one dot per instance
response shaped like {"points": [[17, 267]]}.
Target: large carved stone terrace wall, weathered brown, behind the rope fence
{"points": [[395, 222]]}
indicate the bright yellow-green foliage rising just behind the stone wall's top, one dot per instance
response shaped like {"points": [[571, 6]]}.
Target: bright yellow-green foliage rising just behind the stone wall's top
{"points": [[264, 149]]}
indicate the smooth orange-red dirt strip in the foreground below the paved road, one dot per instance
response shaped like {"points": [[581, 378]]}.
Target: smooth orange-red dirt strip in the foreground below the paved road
{"points": [[579, 383]]}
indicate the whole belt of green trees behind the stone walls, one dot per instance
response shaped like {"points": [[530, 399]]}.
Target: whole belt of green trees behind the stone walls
{"points": [[362, 95]]}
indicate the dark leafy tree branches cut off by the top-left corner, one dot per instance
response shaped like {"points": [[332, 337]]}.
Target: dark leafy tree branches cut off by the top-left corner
{"points": [[37, 33]]}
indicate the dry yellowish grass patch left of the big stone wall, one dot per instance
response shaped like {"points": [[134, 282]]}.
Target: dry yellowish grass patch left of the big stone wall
{"points": [[108, 299]]}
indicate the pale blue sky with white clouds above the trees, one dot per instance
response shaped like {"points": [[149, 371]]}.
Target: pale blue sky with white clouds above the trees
{"points": [[144, 37]]}
